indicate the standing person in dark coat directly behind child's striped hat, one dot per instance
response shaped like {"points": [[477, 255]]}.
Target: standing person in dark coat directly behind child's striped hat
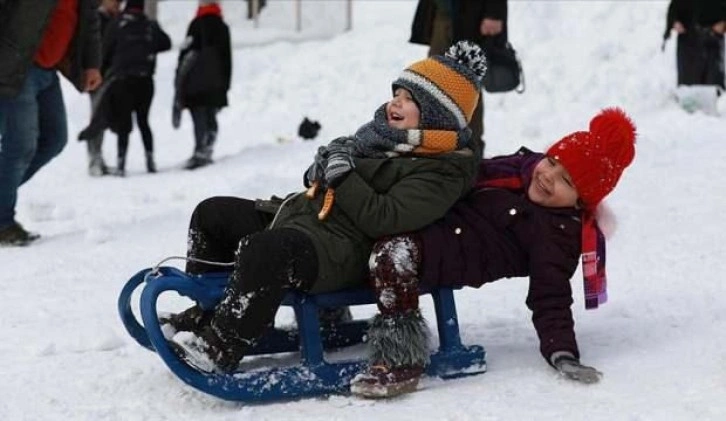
{"points": [[439, 23]]}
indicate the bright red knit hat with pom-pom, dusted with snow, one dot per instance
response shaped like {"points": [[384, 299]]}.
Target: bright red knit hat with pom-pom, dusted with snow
{"points": [[595, 159]]}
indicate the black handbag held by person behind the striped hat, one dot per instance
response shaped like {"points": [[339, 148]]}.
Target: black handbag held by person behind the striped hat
{"points": [[504, 70]]}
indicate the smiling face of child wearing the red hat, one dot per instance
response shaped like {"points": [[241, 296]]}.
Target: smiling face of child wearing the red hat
{"points": [[551, 185]]}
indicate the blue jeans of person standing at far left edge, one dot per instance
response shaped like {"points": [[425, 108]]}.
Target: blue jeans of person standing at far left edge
{"points": [[33, 130]]}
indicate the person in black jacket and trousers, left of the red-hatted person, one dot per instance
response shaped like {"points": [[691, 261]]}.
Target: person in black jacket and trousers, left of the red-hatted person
{"points": [[130, 46]]}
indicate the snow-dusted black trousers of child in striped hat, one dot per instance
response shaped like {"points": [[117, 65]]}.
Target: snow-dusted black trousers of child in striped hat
{"points": [[268, 263]]}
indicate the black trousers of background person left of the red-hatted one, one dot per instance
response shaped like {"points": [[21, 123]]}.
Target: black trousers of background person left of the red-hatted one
{"points": [[132, 95]]}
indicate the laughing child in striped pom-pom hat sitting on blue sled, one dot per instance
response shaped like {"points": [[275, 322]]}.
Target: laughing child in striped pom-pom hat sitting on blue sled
{"points": [[399, 172]]}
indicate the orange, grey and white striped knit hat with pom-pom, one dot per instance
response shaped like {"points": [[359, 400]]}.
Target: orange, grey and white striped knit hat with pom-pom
{"points": [[446, 88]]}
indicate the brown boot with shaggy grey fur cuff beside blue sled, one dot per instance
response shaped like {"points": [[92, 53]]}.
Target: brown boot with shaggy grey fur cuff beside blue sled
{"points": [[399, 351]]}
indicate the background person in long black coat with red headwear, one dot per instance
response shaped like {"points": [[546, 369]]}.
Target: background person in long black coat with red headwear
{"points": [[203, 77]]}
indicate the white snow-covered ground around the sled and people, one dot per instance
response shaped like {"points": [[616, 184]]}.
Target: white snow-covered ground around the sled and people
{"points": [[660, 341]]}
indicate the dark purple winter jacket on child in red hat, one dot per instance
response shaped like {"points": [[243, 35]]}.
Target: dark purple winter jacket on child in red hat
{"points": [[496, 233]]}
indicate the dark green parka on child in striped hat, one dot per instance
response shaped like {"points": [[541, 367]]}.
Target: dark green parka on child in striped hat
{"points": [[379, 197]]}
